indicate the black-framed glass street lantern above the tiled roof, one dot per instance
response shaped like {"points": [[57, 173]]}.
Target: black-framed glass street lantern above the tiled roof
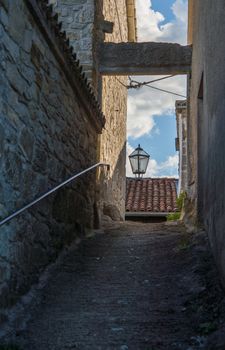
{"points": [[139, 161]]}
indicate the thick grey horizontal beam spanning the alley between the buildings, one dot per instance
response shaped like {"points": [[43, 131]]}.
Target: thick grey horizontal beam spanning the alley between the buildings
{"points": [[150, 58]]}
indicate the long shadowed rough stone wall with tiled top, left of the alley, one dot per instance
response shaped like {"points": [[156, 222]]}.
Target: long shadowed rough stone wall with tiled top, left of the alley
{"points": [[49, 129]]}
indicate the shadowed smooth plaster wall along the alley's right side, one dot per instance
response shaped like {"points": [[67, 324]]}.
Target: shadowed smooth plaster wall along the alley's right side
{"points": [[207, 122]]}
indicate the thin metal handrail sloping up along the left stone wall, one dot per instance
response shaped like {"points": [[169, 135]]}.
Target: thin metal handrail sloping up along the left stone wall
{"points": [[31, 204]]}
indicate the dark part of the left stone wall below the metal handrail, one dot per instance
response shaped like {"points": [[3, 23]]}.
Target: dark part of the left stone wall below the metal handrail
{"points": [[33, 240]]}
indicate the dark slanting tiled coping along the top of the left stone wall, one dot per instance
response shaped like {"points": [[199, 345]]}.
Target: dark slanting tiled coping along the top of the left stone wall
{"points": [[48, 24]]}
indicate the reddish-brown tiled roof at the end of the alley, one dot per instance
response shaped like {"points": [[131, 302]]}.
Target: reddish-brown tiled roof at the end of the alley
{"points": [[156, 195]]}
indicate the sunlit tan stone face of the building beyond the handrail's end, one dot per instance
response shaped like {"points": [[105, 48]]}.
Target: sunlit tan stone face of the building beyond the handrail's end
{"points": [[114, 106]]}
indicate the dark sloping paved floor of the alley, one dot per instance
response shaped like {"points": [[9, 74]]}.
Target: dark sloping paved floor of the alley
{"points": [[136, 286]]}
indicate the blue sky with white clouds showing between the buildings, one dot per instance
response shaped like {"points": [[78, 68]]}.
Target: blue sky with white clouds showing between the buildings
{"points": [[151, 114]]}
